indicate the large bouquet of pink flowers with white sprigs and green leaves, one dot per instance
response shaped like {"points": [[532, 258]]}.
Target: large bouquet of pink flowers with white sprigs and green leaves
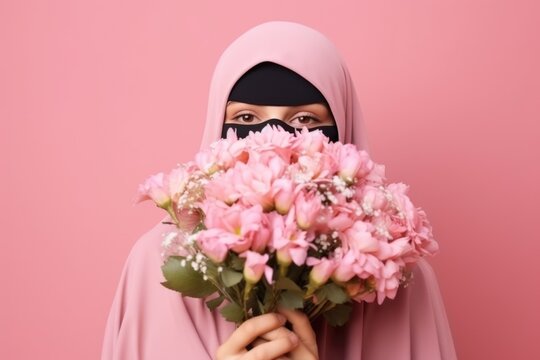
{"points": [[292, 220]]}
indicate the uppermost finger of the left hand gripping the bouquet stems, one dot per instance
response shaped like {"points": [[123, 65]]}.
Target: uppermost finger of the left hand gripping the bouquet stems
{"points": [[249, 331]]}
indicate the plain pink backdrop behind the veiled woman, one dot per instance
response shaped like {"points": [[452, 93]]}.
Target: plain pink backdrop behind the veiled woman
{"points": [[97, 95]]}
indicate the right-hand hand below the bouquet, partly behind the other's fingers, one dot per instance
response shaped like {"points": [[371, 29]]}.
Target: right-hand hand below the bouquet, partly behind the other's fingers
{"points": [[307, 347]]}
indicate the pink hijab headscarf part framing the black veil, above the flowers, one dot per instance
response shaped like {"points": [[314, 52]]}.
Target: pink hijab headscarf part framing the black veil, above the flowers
{"points": [[301, 49]]}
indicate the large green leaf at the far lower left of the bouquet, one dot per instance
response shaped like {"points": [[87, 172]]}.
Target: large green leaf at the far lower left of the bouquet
{"points": [[184, 279]]}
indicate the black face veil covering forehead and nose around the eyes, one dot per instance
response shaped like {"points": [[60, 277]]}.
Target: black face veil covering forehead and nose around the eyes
{"points": [[271, 84]]}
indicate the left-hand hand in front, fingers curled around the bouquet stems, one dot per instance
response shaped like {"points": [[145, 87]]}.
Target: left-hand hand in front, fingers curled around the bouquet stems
{"points": [[278, 344]]}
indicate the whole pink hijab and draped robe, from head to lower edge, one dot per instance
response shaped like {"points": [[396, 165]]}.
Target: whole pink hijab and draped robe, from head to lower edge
{"points": [[148, 321]]}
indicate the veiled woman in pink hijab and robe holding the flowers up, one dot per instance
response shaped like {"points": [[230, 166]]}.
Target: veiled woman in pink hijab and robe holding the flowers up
{"points": [[148, 321]]}
